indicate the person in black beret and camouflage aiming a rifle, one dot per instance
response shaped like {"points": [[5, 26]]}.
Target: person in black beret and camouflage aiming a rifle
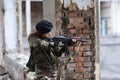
{"points": [[43, 56]]}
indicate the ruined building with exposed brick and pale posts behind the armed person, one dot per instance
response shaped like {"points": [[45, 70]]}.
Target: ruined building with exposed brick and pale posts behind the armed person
{"points": [[75, 18]]}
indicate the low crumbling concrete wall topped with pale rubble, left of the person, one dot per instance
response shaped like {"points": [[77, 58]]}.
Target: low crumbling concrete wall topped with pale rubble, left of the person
{"points": [[15, 65]]}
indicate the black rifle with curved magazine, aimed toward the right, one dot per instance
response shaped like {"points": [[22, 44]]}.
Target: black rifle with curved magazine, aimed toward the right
{"points": [[66, 41]]}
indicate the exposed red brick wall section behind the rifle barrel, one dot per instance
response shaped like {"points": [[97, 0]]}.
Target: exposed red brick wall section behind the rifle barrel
{"points": [[80, 24]]}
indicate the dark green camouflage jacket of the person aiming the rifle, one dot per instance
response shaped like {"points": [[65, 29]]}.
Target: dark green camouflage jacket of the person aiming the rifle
{"points": [[42, 53]]}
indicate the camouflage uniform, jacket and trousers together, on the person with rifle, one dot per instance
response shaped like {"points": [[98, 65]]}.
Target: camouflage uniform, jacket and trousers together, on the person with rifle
{"points": [[43, 58]]}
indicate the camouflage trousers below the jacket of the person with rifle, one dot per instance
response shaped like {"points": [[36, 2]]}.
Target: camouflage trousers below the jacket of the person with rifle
{"points": [[45, 74]]}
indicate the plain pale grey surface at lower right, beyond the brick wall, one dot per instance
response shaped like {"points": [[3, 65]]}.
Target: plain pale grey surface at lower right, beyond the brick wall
{"points": [[110, 63]]}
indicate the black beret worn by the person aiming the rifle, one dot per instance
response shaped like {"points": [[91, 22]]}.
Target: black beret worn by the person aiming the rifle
{"points": [[44, 26]]}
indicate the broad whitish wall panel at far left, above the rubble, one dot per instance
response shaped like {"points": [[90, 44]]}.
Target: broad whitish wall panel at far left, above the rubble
{"points": [[10, 25]]}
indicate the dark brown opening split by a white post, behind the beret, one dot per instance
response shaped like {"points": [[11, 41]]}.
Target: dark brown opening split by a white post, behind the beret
{"points": [[36, 15]]}
